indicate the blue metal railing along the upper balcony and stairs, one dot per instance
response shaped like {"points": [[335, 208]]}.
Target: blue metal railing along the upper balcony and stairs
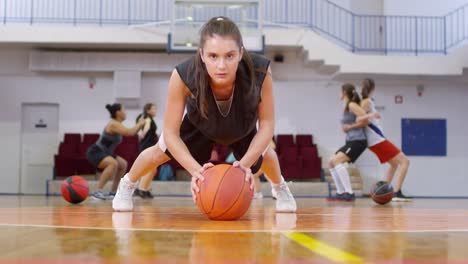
{"points": [[358, 33]]}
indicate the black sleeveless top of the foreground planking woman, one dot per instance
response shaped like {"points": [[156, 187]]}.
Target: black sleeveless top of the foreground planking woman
{"points": [[242, 117]]}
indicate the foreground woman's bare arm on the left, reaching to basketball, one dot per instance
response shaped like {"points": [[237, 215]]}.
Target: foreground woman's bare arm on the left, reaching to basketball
{"points": [[175, 106]]}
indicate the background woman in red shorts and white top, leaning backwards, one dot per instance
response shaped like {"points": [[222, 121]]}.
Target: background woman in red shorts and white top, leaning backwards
{"points": [[382, 147]]}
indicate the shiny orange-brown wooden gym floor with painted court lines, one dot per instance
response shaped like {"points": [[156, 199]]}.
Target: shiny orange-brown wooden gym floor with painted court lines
{"points": [[37, 229]]}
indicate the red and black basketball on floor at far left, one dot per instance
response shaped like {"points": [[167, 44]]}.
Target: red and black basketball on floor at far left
{"points": [[75, 189]]}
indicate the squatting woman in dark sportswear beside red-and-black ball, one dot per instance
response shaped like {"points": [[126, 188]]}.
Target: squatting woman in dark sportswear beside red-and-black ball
{"points": [[101, 154]]}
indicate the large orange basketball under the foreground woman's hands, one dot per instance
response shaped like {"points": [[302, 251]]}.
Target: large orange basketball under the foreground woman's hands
{"points": [[224, 195]]}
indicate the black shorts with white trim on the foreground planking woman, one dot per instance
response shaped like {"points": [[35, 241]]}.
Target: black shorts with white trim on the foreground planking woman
{"points": [[200, 146]]}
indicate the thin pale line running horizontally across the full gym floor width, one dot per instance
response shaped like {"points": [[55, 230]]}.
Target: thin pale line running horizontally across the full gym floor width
{"points": [[237, 230]]}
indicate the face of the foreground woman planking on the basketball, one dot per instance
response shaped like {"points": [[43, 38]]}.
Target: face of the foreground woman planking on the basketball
{"points": [[221, 56]]}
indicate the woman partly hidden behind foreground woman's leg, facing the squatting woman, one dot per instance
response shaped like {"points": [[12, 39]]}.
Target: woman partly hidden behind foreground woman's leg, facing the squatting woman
{"points": [[147, 138]]}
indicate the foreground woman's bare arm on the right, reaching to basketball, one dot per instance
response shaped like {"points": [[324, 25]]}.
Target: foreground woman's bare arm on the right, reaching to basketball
{"points": [[266, 124]]}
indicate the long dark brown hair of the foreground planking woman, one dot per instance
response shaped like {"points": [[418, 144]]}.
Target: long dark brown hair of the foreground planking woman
{"points": [[221, 26]]}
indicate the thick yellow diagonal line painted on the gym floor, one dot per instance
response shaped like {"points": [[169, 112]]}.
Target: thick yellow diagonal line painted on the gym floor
{"points": [[323, 249]]}
